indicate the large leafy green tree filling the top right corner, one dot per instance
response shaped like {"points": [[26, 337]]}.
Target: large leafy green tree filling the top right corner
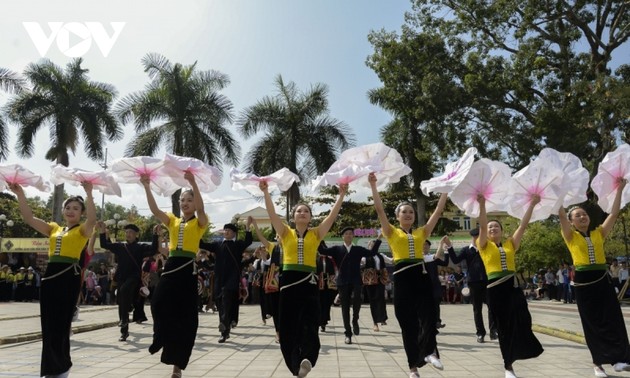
{"points": [[537, 73]]}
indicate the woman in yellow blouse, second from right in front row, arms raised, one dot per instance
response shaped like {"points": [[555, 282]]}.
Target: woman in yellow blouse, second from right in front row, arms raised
{"points": [[505, 299]]}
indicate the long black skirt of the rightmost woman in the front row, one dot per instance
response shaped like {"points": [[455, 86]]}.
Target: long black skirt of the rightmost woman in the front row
{"points": [[602, 320]]}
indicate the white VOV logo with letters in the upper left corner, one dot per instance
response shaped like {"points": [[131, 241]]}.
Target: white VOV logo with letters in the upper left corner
{"points": [[81, 34]]}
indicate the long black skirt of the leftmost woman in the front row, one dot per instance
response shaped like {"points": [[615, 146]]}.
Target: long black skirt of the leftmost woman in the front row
{"points": [[57, 304]]}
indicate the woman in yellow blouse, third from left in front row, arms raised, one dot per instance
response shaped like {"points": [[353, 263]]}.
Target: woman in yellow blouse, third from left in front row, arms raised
{"points": [[299, 295]]}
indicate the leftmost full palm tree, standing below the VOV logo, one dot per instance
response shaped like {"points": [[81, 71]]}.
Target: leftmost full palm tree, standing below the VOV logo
{"points": [[72, 106]]}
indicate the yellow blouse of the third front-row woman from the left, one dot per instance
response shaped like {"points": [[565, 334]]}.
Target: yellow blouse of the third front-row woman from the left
{"points": [[307, 262]]}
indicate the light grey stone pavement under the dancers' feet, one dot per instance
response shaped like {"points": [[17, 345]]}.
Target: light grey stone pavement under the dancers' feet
{"points": [[252, 352]]}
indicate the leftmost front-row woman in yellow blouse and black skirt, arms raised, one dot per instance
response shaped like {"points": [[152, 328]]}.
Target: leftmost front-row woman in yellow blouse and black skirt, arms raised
{"points": [[61, 283]]}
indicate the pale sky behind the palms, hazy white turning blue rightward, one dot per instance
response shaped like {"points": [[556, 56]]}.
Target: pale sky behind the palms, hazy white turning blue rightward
{"points": [[308, 42]]}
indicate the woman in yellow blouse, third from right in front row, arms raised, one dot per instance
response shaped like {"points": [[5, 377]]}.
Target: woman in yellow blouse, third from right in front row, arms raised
{"points": [[413, 300]]}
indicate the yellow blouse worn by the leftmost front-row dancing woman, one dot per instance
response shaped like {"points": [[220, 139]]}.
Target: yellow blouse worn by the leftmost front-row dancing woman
{"points": [[65, 245]]}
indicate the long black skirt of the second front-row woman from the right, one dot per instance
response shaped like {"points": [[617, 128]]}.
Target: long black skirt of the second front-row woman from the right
{"points": [[514, 322]]}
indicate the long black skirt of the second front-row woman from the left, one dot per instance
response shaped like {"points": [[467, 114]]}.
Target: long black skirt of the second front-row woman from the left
{"points": [[174, 310]]}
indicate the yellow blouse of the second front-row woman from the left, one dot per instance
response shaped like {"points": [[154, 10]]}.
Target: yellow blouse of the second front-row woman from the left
{"points": [[188, 244]]}
